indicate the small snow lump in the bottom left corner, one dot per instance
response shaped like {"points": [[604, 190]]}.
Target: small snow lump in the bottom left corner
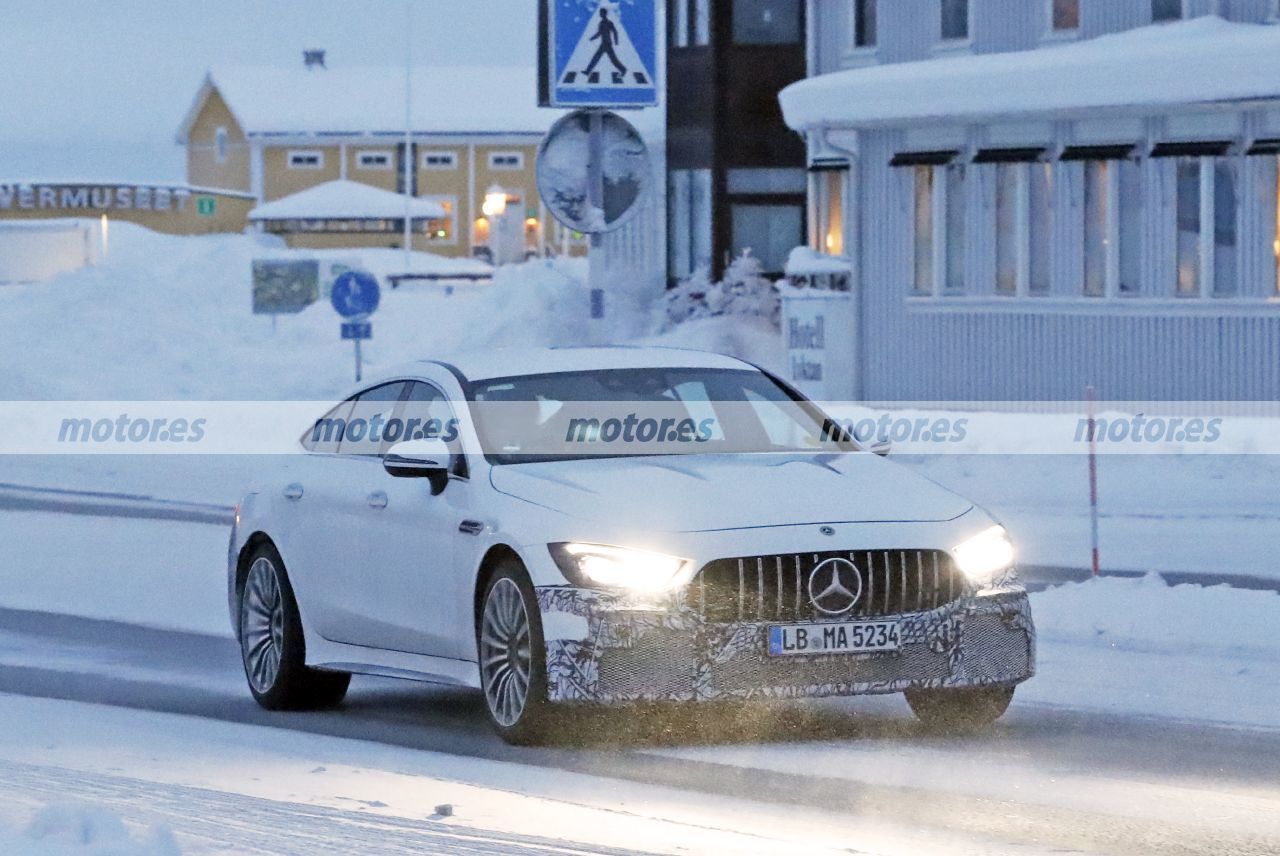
{"points": [[84, 831]]}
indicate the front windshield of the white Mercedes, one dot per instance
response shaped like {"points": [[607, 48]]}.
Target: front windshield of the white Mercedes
{"points": [[627, 413]]}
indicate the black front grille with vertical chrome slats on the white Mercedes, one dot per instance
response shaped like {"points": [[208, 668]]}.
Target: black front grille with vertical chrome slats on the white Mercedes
{"points": [[776, 588]]}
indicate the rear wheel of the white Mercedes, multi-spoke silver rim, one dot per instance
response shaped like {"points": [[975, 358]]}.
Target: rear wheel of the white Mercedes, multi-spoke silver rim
{"points": [[272, 647]]}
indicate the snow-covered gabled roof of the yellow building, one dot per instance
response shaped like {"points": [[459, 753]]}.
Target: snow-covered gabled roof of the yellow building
{"points": [[465, 99]]}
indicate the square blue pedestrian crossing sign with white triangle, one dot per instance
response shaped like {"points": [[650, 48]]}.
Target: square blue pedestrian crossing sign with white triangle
{"points": [[600, 54]]}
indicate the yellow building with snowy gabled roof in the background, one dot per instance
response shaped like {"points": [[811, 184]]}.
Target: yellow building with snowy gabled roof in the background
{"points": [[272, 134]]}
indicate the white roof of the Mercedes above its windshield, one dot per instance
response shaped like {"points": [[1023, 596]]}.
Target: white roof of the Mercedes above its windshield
{"points": [[505, 363]]}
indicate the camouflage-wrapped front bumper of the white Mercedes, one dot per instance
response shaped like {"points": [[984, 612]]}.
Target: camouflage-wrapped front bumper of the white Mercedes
{"points": [[605, 648]]}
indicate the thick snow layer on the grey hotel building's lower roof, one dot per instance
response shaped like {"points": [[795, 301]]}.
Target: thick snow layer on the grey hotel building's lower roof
{"points": [[1195, 62]]}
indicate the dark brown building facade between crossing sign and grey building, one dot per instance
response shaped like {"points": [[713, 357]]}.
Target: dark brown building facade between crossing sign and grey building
{"points": [[735, 172]]}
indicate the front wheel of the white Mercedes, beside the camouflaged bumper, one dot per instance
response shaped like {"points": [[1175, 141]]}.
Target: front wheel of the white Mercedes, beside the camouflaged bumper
{"points": [[513, 657]]}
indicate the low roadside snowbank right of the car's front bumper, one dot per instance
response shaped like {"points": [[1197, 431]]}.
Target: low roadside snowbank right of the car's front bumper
{"points": [[1148, 615]]}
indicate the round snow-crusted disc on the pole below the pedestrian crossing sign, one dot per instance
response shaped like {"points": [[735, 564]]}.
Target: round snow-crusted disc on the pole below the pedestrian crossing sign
{"points": [[587, 198]]}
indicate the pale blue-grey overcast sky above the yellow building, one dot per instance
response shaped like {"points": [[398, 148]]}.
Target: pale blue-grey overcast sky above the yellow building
{"points": [[97, 89]]}
